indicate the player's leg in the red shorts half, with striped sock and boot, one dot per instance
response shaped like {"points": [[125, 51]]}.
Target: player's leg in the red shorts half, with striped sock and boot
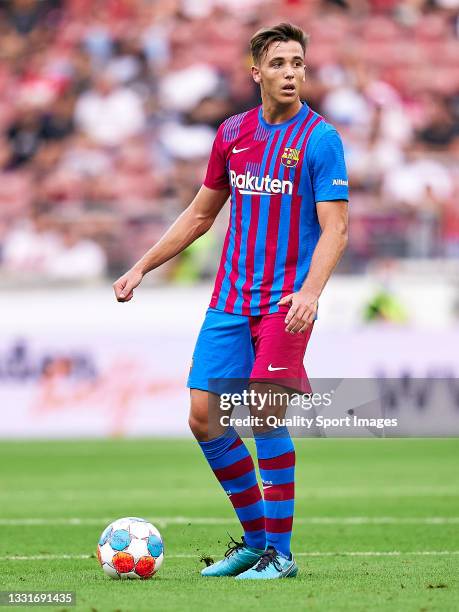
{"points": [[278, 371]]}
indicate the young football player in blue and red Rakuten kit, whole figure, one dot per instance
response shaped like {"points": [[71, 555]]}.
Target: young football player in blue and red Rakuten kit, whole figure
{"points": [[283, 167]]}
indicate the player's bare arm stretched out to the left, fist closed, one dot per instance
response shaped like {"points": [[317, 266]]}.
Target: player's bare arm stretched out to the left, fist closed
{"points": [[195, 221]]}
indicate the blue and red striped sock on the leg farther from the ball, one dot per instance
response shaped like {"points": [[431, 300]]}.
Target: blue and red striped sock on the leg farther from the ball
{"points": [[276, 460]]}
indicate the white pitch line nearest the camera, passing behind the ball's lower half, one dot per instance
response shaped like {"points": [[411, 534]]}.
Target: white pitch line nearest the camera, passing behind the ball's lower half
{"points": [[351, 553]]}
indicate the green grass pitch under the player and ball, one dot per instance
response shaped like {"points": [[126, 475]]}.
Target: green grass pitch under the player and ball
{"points": [[377, 525]]}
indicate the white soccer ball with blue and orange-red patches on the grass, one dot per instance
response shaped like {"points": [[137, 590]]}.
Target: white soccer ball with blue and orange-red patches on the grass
{"points": [[130, 548]]}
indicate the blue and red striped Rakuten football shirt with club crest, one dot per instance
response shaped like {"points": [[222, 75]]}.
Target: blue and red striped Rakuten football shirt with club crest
{"points": [[276, 173]]}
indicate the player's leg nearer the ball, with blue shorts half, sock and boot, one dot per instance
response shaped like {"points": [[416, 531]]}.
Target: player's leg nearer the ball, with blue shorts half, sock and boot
{"points": [[224, 353]]}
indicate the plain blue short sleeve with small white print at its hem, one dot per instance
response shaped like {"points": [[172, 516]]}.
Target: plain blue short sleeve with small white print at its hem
{"points": [[328, 169]]}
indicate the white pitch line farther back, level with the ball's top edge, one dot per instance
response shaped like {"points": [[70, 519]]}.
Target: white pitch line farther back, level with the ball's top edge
{"points": [[209, 520]]}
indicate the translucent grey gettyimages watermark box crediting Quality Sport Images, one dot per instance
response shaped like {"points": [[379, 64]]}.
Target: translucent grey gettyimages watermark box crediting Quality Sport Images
{"points": [[339, 407]]}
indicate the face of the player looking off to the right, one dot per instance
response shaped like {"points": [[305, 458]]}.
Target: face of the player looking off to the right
{"points": [[281, 72]]}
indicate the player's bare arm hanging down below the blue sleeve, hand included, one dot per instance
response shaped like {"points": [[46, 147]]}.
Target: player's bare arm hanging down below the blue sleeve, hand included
{"points": [[333, 219]]}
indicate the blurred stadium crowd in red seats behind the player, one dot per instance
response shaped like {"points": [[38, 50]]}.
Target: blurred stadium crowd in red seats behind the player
{"points": [[108, 109]]}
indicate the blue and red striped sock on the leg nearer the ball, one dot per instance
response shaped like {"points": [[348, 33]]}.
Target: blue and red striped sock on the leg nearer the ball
{"points": [[233, 466]]}
